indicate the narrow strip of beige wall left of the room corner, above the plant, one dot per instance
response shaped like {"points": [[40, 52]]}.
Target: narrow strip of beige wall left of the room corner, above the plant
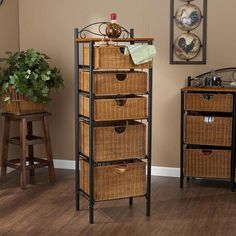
{"points": [[9, 35]]}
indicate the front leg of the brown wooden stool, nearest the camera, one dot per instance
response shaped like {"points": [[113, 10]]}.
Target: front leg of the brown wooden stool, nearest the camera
{"points": [[23, 153]]}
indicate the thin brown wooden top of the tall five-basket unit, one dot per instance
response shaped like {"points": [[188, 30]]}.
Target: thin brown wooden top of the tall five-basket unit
{"points": [[87, 40]]}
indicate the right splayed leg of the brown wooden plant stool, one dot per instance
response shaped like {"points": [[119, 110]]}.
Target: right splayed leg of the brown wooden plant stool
{"points": [[48, 150]]}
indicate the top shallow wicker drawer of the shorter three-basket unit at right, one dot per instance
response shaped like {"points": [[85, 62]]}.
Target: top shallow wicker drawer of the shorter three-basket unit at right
{"points": [[208, 102]]}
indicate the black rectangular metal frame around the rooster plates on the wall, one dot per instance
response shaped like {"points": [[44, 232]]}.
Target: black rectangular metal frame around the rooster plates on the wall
{"points": [[204, 37]]}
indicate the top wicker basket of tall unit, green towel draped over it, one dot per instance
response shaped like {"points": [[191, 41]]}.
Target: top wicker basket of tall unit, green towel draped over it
{"points": [[112, 57]]}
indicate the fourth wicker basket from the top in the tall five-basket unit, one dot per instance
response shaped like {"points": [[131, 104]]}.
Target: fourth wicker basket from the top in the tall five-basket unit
{"points": [[115, 140]]}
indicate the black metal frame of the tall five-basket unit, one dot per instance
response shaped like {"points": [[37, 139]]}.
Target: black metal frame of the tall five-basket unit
{"points": [[90, 119]]}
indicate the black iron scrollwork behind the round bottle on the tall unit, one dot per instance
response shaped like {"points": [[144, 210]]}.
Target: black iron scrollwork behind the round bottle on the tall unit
{"points": [[100, 31]]}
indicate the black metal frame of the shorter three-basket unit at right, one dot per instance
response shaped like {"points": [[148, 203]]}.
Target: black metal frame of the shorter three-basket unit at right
{"points": [[182, 144]]}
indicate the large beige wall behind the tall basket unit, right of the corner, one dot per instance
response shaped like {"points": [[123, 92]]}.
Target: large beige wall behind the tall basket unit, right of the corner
{"points": [[48, 27]]}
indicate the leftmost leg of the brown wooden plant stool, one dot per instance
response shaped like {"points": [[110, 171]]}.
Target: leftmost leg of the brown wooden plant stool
{"points": [[5, 147]]}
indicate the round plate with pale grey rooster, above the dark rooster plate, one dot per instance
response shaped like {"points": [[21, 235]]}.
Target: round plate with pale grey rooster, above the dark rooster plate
{"points": [[188, 17]]}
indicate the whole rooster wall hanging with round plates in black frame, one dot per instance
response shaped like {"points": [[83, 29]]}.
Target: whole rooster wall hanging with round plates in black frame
{"points": [[188, 29]]}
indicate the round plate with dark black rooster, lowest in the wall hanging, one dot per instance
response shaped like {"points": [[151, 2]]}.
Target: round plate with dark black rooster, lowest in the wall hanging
{"points": [[187, 46]]}
